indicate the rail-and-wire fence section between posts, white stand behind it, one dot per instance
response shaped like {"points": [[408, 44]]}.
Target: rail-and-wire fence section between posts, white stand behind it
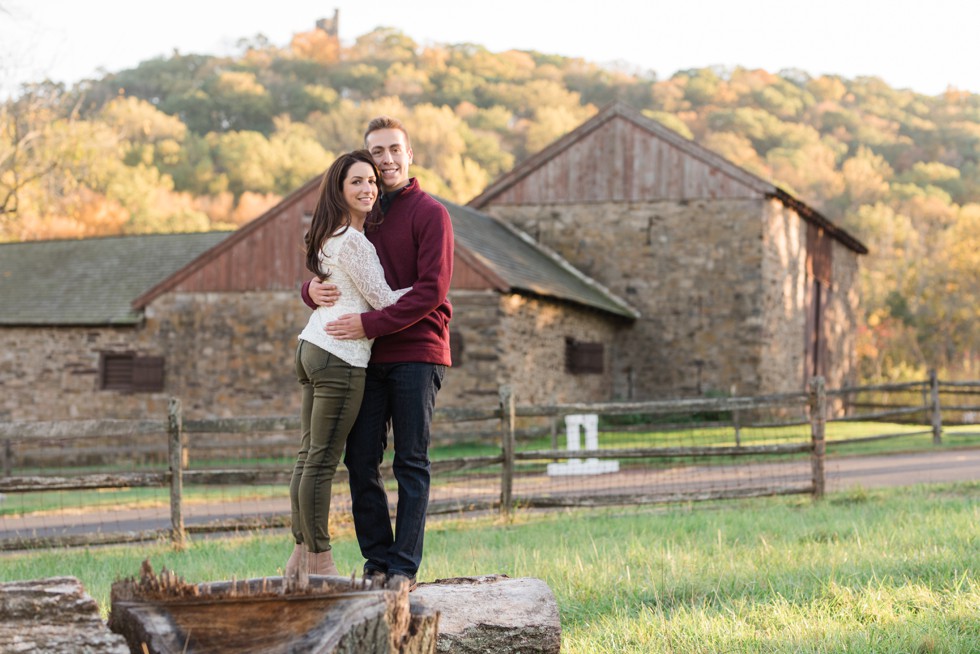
{"points": [[656, 452]]}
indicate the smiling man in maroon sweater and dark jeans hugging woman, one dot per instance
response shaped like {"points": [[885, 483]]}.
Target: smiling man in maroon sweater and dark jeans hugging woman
{"points": [[414, 242]]}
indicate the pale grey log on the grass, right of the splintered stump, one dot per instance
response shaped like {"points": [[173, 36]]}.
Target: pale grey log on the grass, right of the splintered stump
{"points": [[493, 615]]}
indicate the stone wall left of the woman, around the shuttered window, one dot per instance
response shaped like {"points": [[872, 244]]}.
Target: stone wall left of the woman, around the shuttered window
{"points": [[227, 354]]}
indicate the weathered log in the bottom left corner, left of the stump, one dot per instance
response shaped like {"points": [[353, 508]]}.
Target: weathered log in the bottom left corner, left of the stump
{"points": [[53, 615]]}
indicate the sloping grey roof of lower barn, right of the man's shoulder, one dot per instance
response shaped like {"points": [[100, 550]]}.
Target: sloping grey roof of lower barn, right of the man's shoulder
{"points": [[520, 264]]}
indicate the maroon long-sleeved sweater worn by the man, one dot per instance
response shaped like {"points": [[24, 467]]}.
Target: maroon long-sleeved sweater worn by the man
{"points": [[415, 246]]}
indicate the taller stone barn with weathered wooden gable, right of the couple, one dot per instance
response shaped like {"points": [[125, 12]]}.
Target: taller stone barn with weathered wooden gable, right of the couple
{"points": [[741, 287]]}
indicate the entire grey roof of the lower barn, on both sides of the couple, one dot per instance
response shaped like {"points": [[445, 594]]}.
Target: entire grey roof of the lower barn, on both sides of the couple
{"points": [[108, 281]]}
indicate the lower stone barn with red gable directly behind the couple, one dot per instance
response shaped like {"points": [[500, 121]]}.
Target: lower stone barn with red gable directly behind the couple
{"points": [[112, 327]]}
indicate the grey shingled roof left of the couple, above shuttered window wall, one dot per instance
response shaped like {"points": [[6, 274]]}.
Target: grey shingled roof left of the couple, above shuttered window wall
{"points": [[90, 281]]}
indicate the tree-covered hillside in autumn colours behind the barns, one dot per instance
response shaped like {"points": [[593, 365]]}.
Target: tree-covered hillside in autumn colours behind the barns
{"points": [[198, 142]]}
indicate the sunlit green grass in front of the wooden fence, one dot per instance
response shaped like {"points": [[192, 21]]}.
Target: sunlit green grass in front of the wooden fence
{"points": [[883, 571]]}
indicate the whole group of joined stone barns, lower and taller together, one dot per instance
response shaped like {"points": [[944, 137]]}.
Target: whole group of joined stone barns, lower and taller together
{"points": [[623, 262]]}
